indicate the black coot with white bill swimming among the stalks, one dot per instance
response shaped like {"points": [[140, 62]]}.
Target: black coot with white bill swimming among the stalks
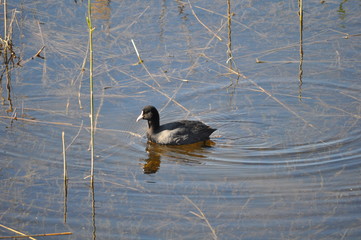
{"points": [[174, 133]]}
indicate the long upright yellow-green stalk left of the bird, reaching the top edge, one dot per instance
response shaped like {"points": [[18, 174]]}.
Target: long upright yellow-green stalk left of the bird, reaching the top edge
{"points": [[91, 29]]}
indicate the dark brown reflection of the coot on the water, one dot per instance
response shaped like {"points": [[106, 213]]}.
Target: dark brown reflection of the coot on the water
{"points": [[186, 154]]}
